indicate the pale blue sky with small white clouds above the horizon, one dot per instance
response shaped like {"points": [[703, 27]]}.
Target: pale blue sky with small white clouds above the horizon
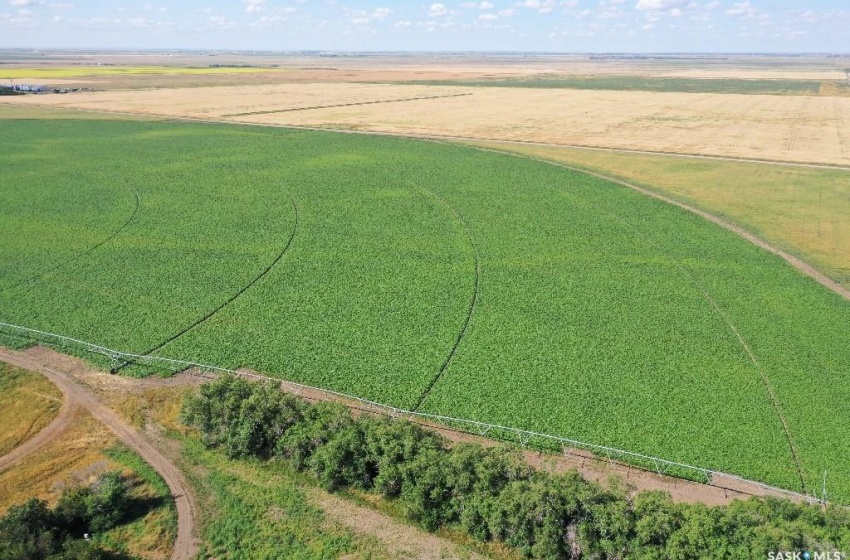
{"points": [[515, 25]]}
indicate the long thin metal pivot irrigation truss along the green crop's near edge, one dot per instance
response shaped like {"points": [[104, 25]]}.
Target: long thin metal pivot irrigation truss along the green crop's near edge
{"points": [[526, 438]]}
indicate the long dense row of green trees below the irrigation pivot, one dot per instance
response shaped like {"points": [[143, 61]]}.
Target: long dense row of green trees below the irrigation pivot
{"points": [[491, 493]]}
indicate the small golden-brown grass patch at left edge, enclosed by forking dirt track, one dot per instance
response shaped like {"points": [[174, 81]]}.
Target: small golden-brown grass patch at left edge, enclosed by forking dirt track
{"points": [[28, 402]]}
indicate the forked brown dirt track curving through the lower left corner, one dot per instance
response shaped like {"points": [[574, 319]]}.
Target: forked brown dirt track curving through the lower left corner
{"points": [[76, 395]]}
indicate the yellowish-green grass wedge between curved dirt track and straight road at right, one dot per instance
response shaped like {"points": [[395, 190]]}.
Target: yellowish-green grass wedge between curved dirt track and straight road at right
{"points": [[803, 211]]}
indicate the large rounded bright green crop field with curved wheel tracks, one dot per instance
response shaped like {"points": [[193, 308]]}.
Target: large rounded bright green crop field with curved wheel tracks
{"points": [[466, 283]]}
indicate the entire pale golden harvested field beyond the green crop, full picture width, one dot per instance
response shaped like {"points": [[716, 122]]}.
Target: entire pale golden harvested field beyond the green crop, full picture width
{"points": [[784, 128]]}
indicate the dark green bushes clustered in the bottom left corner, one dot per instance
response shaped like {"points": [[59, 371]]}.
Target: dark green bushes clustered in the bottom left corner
{"points": [[33, 531]]}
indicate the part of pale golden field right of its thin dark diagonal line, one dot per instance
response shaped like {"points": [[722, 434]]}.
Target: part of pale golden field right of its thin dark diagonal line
{"points": [[803, 129]]}
